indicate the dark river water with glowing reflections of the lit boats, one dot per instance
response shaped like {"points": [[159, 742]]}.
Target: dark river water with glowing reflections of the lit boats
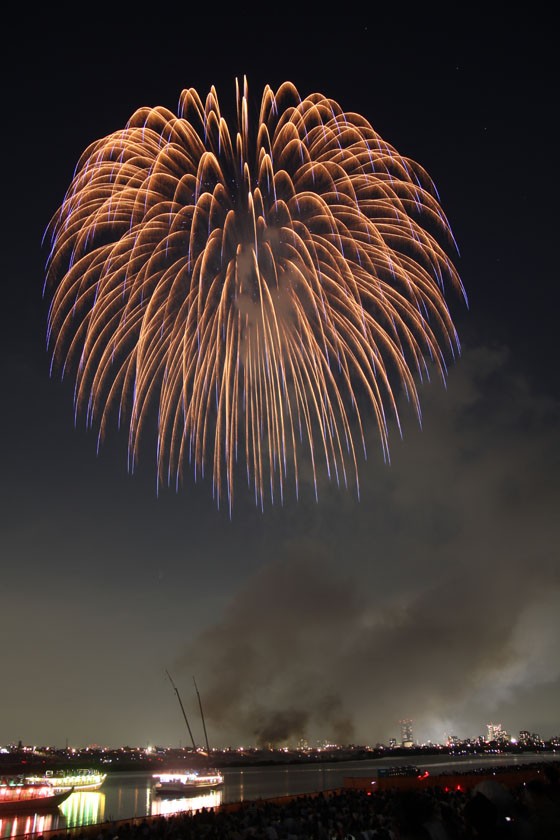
{"points": [[129, 795]]}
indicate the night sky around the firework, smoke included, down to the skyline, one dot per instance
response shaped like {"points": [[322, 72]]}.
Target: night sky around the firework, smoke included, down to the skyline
{"points": [[435, 595]]}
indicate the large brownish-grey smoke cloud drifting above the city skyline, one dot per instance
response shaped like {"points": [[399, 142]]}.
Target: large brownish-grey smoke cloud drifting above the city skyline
{"points": [[434, 598]]}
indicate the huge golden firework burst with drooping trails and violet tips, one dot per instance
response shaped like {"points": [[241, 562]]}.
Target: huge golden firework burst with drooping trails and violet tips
{"points": [[258, 297]]}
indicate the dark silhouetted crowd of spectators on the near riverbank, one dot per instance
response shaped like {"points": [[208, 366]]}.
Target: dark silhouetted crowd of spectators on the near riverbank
{"points": [[489, 811]]}
